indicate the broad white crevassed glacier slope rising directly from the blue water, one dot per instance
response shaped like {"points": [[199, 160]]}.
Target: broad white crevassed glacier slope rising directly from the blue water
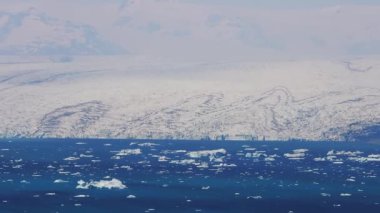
{"points": [[125, 97]]}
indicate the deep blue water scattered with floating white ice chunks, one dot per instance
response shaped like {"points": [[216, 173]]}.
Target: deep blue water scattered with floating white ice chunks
{"points": [[65, 175]]}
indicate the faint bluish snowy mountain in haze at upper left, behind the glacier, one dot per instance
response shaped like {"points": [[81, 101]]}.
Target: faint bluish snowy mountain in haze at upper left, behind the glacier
{"points": [[31, 32]]}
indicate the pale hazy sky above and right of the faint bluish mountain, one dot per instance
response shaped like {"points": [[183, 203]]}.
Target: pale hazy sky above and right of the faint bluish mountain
{"points": [[225, 28]]}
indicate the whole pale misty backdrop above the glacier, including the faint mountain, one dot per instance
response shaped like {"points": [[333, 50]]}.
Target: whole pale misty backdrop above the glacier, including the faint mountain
{"points": [[202, 30]]}
